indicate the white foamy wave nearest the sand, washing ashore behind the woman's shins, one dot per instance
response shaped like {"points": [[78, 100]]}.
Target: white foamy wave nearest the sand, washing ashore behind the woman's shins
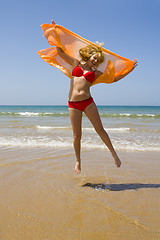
{"points": [[88, 144]]}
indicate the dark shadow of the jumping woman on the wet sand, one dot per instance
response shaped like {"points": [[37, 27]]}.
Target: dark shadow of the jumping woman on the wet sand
{"points": [[120, 187]]}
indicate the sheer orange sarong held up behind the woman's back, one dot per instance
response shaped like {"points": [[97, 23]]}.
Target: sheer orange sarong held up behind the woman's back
{"points": [[113, 65]]}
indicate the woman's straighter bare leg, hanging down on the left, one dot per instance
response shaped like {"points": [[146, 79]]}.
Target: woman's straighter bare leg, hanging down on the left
{"points": [[76, 121]]}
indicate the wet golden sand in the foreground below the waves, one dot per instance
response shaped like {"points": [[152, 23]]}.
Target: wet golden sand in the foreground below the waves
{"points": [[43, 199]]}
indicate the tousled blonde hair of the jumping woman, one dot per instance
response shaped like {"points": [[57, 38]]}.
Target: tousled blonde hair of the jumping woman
{"points": [[88, 51]]}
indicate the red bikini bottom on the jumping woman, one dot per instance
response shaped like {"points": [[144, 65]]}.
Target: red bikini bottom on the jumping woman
{"points": [[80, 105]]}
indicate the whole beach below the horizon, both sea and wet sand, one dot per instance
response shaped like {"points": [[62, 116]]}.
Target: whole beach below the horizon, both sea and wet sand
{"points": [[43, 199]]}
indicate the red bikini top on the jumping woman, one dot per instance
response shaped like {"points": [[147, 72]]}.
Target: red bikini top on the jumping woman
{"points": [[78, 72]]}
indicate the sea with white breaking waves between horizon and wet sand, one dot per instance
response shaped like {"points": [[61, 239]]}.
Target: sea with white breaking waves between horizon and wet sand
{"points": [[131, 128]]}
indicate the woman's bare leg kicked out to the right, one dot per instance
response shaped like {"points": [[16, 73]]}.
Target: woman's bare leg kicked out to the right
{"points": [[92, 113]]}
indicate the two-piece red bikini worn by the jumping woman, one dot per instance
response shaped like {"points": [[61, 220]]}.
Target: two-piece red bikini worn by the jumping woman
{"points": [[89, 76]]}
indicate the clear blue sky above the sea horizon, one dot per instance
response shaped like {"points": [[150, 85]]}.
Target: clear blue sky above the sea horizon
{"points": [[128, 28]]}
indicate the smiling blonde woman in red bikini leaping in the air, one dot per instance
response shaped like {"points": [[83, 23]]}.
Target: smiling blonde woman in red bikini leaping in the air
{"points": [[80, 100]]}
